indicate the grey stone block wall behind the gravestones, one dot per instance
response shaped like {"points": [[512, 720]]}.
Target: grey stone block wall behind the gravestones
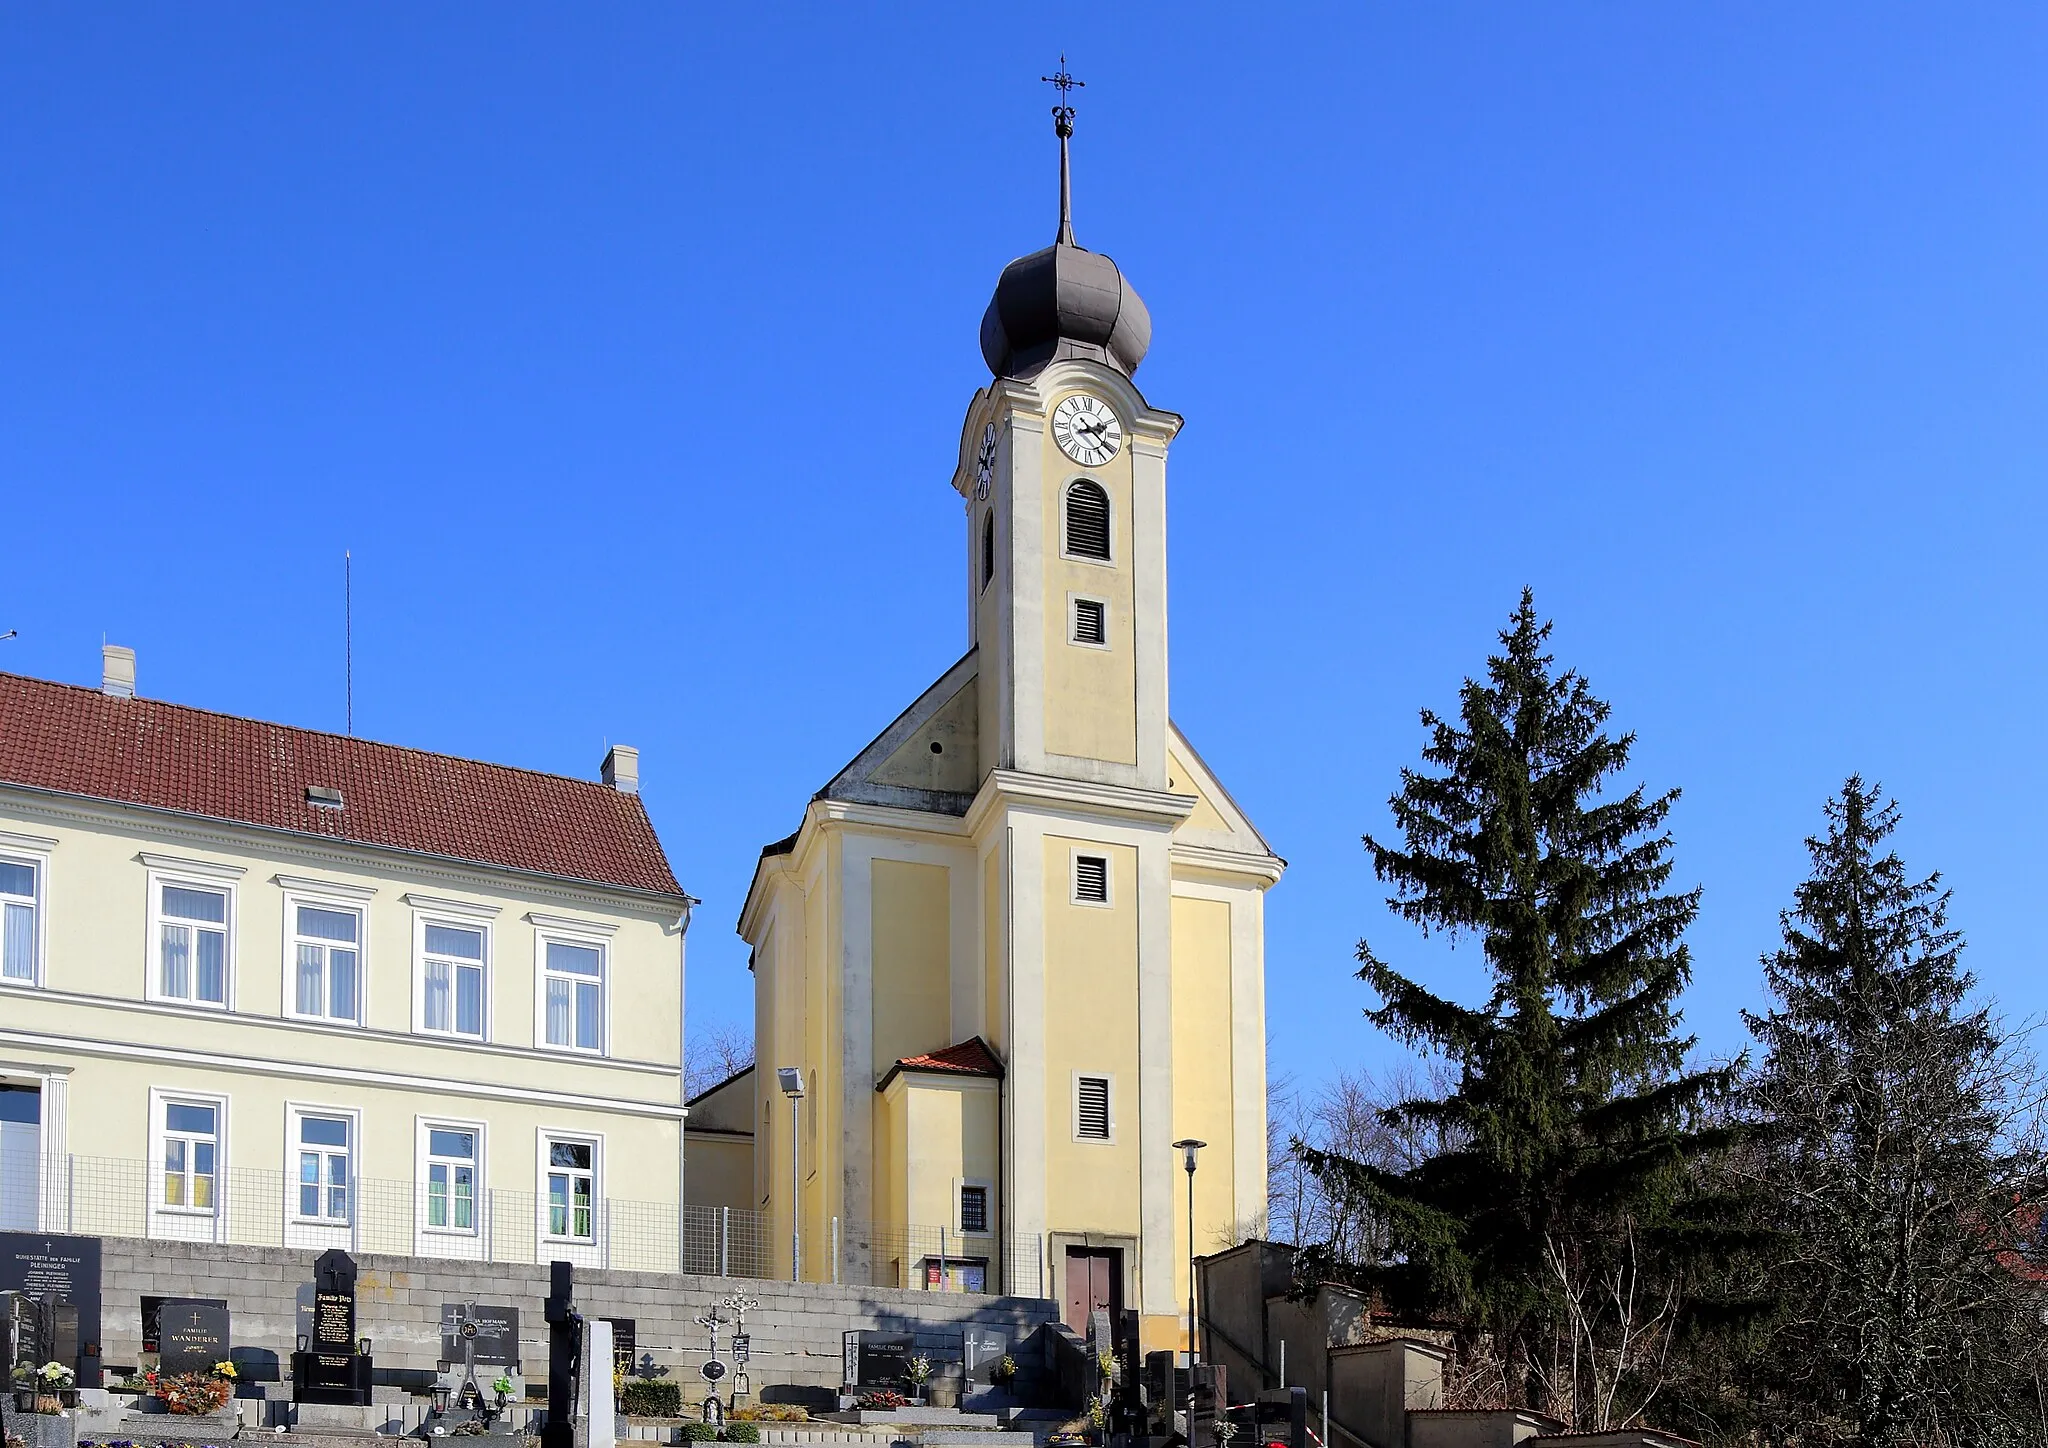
{"points": [[796, 1332]]}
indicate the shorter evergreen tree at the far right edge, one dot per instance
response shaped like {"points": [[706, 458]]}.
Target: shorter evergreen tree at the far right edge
{"points": [[1895, 1144]]}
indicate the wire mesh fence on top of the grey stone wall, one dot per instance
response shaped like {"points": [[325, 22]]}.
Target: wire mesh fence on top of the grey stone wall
{"points": [[114, 1197]]}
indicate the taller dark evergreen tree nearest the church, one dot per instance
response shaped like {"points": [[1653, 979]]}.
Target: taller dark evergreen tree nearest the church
{"points": [[1551, 1207]]}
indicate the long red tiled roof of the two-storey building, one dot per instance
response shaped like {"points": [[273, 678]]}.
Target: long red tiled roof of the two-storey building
{"points": [[191, 761]]}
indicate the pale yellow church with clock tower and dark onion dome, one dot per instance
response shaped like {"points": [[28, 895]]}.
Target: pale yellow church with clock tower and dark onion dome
{"points": [[1011, 962]]}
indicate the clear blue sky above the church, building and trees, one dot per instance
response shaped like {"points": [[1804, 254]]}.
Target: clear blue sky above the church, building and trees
{"points": [[628, 351]]}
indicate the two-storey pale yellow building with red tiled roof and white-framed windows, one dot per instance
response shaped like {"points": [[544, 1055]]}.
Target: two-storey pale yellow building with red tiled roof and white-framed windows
{"points": [[288, 988]]}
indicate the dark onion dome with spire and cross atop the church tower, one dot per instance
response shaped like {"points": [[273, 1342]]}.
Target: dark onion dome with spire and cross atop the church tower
{"points": [[1064, 302]]}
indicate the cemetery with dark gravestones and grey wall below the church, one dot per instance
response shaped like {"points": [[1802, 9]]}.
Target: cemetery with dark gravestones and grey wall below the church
{"points": [[126, 1343]]}
